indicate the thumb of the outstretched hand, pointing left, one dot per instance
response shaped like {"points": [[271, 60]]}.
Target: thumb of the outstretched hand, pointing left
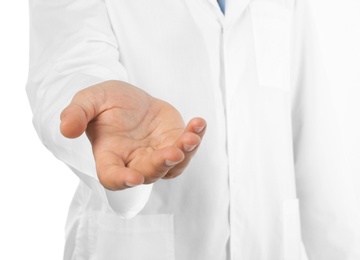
{"points": [[75, 117]]}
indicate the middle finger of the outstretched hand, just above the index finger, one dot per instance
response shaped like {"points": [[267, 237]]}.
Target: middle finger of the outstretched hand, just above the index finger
{"points": [[154, 164]]}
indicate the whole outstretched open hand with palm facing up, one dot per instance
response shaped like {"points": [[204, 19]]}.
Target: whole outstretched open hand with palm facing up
{"points": [[136, 138]]}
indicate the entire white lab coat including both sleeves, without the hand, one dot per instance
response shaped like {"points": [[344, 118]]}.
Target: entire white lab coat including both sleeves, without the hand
{"points": [[271, 153]]}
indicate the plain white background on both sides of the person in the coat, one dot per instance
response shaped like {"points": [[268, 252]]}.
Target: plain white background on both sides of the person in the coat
{"points": [[36, 189]]}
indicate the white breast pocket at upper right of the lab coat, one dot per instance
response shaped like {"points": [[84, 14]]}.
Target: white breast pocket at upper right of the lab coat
{"points": [[271, 25]]}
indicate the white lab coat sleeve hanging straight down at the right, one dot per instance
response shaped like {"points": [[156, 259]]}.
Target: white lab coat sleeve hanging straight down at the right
{"points": [[326, 185]]}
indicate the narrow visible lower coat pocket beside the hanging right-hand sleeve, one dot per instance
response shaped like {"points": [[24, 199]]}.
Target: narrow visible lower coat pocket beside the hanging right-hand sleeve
{"points": [[291, 230]]}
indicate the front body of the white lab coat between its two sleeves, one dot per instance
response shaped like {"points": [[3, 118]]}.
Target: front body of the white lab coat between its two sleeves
{"points": [[239, 192]]}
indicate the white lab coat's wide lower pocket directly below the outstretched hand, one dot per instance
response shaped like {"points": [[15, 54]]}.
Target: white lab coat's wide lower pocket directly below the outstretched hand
{"points": [[149, 237]]}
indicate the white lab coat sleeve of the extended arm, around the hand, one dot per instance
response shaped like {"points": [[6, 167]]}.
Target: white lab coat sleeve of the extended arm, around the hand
{"points": [[72, 46]]}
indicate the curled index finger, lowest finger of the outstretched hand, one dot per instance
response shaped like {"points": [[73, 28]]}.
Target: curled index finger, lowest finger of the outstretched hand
{"points": [[113, 174]]}
